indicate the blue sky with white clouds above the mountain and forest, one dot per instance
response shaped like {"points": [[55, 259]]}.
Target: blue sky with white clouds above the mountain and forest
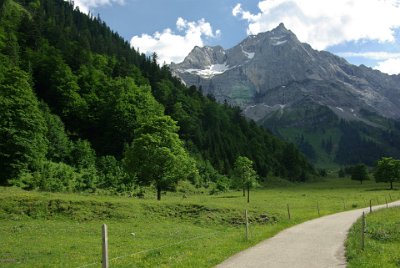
{"points": [[362, 31]]}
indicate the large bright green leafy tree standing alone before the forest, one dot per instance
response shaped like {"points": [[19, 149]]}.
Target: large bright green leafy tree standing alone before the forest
{"points": [[157, 155]]}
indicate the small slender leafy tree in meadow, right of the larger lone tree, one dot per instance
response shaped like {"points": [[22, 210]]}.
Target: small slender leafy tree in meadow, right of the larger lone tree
{"points": [[245, 173]]}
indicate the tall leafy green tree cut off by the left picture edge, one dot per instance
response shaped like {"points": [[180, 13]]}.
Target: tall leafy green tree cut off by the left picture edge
{"points": [[23, 143]]}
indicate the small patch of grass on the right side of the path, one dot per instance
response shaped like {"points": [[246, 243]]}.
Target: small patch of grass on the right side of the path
{"points": [[382, 241]]}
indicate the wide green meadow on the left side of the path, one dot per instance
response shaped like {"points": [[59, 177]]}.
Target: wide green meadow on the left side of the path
{"points": [[64, 230]]}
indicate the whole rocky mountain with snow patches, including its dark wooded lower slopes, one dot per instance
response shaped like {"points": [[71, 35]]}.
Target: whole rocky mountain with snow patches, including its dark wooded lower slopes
{"points": [[309, 97]]}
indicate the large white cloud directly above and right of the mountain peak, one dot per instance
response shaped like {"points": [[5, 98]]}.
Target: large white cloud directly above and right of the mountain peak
{"points": [[329, 22]]}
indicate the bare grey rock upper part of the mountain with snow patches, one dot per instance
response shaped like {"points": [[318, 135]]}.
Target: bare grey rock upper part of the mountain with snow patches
{"points": [[274, 71]]}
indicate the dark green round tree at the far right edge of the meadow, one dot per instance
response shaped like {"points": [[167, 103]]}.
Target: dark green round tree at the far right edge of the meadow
{"points": [[387, 170]]}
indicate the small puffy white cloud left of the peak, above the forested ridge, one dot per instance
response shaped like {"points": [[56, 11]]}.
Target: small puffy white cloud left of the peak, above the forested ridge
{"points": [[172, 47]]}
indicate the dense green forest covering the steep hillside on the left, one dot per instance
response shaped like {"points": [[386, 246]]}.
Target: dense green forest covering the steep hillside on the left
{"points": [[75, 99]]}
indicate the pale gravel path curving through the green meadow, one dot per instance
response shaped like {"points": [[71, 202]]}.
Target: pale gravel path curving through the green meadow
{"points": [[317, 243]]}
